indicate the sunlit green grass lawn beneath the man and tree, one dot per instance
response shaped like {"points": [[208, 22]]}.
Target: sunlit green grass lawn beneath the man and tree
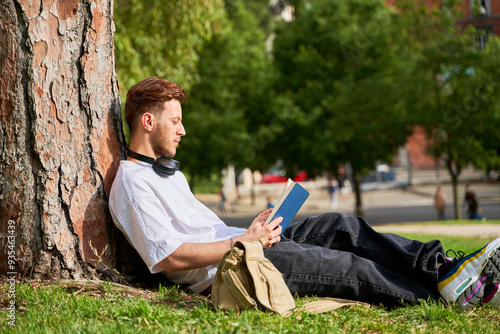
{"points": [[170, 310]]}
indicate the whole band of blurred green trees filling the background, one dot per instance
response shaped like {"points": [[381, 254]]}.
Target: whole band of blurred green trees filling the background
{"points": [[340, 82]]}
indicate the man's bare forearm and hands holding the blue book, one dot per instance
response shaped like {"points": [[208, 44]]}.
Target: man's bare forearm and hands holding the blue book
{"points": [[199, 255]]}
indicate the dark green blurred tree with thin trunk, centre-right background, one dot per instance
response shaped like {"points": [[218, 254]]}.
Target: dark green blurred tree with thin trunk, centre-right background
{"points": [[341, 65]]}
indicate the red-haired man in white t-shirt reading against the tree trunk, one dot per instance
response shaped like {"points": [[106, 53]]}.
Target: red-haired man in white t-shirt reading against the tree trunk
{"points": [[332, 255]]}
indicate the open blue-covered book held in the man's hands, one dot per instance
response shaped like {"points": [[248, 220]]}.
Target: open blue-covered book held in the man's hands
{"points": [[291, 199]]}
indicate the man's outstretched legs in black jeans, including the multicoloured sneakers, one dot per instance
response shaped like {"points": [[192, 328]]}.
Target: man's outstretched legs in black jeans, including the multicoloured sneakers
{"points": [[335, 254]]}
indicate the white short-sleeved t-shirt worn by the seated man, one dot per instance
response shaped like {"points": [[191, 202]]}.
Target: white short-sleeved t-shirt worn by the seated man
{"points": [[157, 214]]}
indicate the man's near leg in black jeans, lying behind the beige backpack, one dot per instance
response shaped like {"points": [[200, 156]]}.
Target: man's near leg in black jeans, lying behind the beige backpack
{"points": [[314, 270]]}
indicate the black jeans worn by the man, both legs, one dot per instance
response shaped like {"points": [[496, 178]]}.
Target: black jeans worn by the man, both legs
{"points": [[335, 255]]}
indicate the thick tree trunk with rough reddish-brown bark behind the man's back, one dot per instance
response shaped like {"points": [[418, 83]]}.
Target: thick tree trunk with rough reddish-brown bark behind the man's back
{"points": [[61, 135]]}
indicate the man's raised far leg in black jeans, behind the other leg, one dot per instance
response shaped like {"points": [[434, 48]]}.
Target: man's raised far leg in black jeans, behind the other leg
{"points": [[411, 258]]}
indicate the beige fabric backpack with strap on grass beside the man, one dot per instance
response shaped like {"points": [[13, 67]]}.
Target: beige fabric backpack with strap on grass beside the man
{"points": [[246, 279]]}
